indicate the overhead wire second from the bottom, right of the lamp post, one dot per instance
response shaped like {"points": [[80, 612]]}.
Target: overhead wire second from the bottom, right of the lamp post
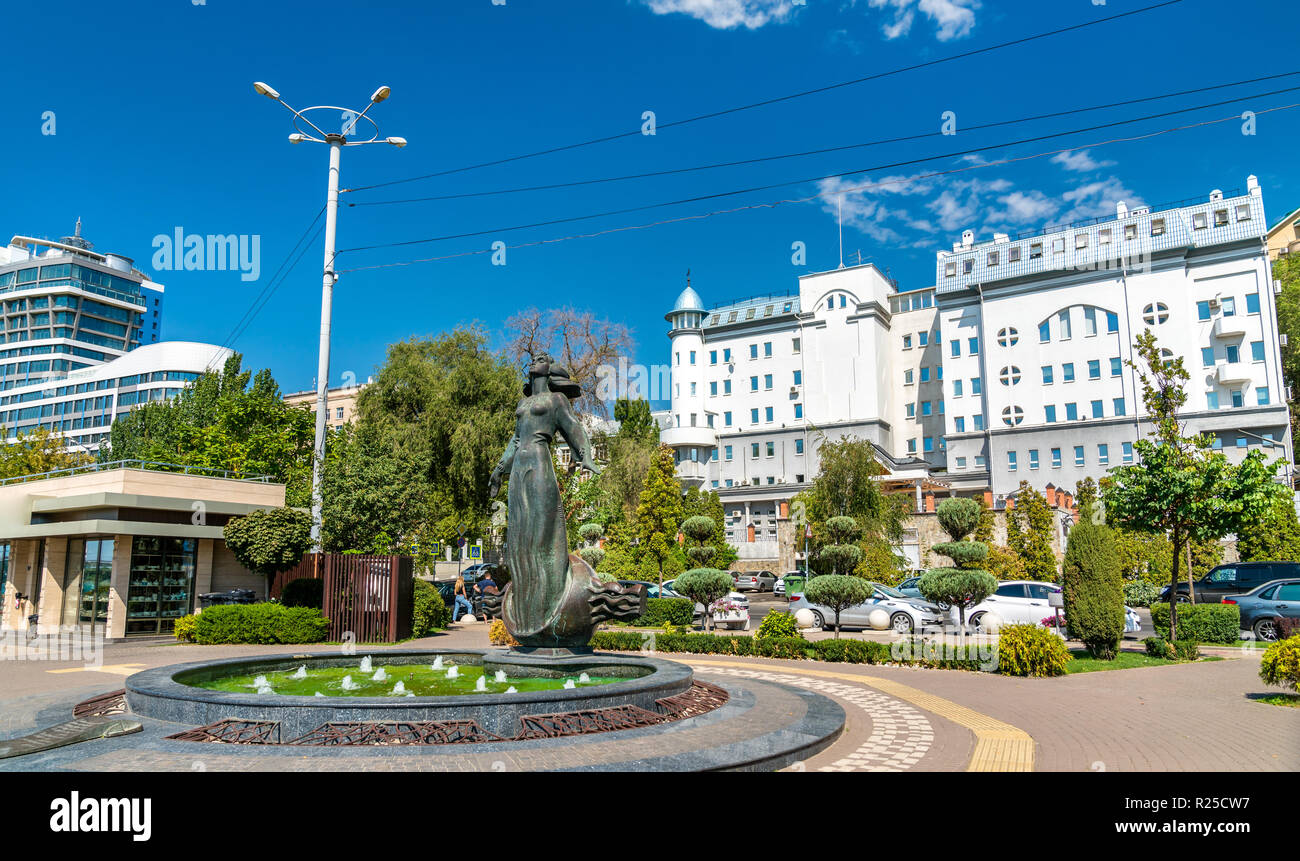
{"points": [[818, 179]]}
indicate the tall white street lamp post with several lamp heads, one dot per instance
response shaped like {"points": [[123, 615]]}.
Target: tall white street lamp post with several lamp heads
{"points": [[336, 141]]}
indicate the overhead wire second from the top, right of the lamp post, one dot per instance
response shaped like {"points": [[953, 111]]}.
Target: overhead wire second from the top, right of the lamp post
{"points": [[813, 153]]}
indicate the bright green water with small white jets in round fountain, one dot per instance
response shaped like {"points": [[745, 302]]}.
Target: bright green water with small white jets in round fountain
{"points": [[421, 681]]}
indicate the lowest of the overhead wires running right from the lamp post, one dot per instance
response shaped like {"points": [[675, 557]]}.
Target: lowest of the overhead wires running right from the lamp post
{"points": [[772, 205]]}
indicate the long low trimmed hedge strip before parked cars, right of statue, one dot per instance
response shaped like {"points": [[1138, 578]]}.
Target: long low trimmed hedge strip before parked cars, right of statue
{"points": [[786, 648]]}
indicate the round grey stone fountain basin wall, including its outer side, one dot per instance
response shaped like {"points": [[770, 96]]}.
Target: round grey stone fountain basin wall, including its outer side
{"points": [[171, 694]]}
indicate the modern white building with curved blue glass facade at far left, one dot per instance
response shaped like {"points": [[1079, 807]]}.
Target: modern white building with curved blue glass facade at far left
{"points": [[83, 340]]}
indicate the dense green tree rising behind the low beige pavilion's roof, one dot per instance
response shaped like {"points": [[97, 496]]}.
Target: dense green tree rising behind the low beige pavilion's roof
{"points": [[224, 421]]}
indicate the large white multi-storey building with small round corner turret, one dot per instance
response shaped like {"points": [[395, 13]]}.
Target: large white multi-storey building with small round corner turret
{"points": [[1015, 367]]}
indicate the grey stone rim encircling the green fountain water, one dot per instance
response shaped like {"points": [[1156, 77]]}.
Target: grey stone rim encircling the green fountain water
{"points": [[664, 680]]}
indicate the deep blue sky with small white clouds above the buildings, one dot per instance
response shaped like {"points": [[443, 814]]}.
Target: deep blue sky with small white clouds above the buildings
{"points": [[158, 128]]}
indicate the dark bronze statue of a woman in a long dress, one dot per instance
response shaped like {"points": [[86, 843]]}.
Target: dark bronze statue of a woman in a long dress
{"points": [[553, 599]]}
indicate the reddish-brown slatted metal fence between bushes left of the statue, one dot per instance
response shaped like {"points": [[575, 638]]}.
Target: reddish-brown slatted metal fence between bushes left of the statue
{"points": [[367, 598]]}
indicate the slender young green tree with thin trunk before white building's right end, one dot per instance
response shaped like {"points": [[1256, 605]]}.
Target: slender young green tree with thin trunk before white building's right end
{"points": [[1181, 486]]}
